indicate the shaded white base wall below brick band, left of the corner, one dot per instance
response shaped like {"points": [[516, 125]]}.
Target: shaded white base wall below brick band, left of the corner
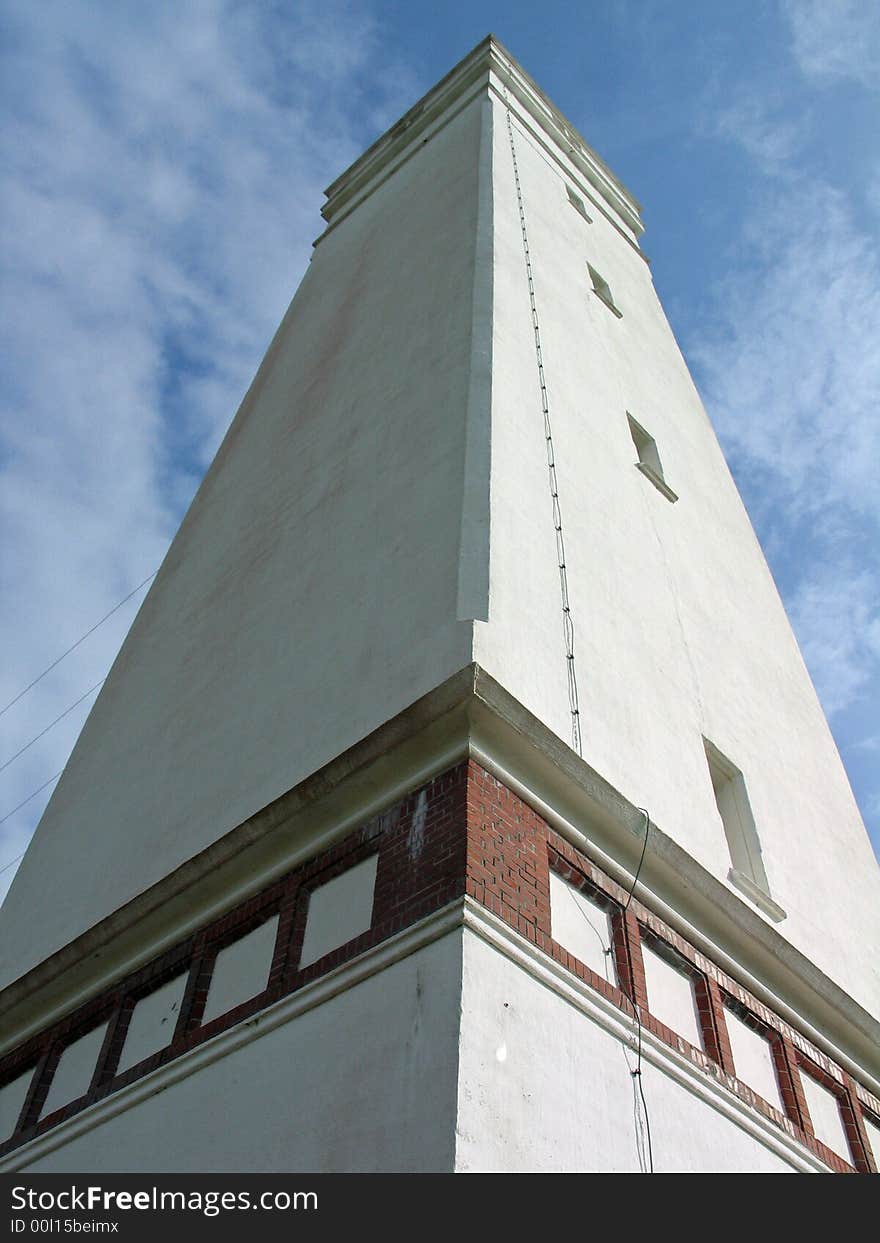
{"points": [[366, 1082]]}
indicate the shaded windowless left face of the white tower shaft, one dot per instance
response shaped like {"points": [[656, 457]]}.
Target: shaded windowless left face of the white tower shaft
{"points": [[313, 591]]}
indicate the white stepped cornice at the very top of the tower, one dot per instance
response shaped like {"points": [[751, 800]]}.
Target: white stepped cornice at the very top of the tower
{"points": [[489, 68]]}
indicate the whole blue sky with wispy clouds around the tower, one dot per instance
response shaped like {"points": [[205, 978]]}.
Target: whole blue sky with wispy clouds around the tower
{"points": [[163, 171]]}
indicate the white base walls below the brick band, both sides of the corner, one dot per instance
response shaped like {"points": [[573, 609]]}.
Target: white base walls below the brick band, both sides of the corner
{"points": [[454, 1058]]}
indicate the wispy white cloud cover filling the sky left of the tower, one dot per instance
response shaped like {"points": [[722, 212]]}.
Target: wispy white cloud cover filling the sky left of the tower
{"points": [[162, 172]]}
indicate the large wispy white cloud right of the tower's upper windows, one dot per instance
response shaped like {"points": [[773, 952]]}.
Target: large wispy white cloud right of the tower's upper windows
{"points": [[791, 369]]}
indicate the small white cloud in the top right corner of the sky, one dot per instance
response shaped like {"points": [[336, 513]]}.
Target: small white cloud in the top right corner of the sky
{"points": [[837, 39]]}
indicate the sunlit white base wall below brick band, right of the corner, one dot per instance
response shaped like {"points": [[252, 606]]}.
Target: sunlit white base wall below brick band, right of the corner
{"points": [[544, 1089]]}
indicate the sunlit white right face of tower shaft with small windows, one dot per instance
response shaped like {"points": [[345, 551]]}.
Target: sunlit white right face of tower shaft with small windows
{"points": [[681, 632]]}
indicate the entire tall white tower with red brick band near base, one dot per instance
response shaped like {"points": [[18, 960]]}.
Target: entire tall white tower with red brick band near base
{"points": [[459, 800]]}
